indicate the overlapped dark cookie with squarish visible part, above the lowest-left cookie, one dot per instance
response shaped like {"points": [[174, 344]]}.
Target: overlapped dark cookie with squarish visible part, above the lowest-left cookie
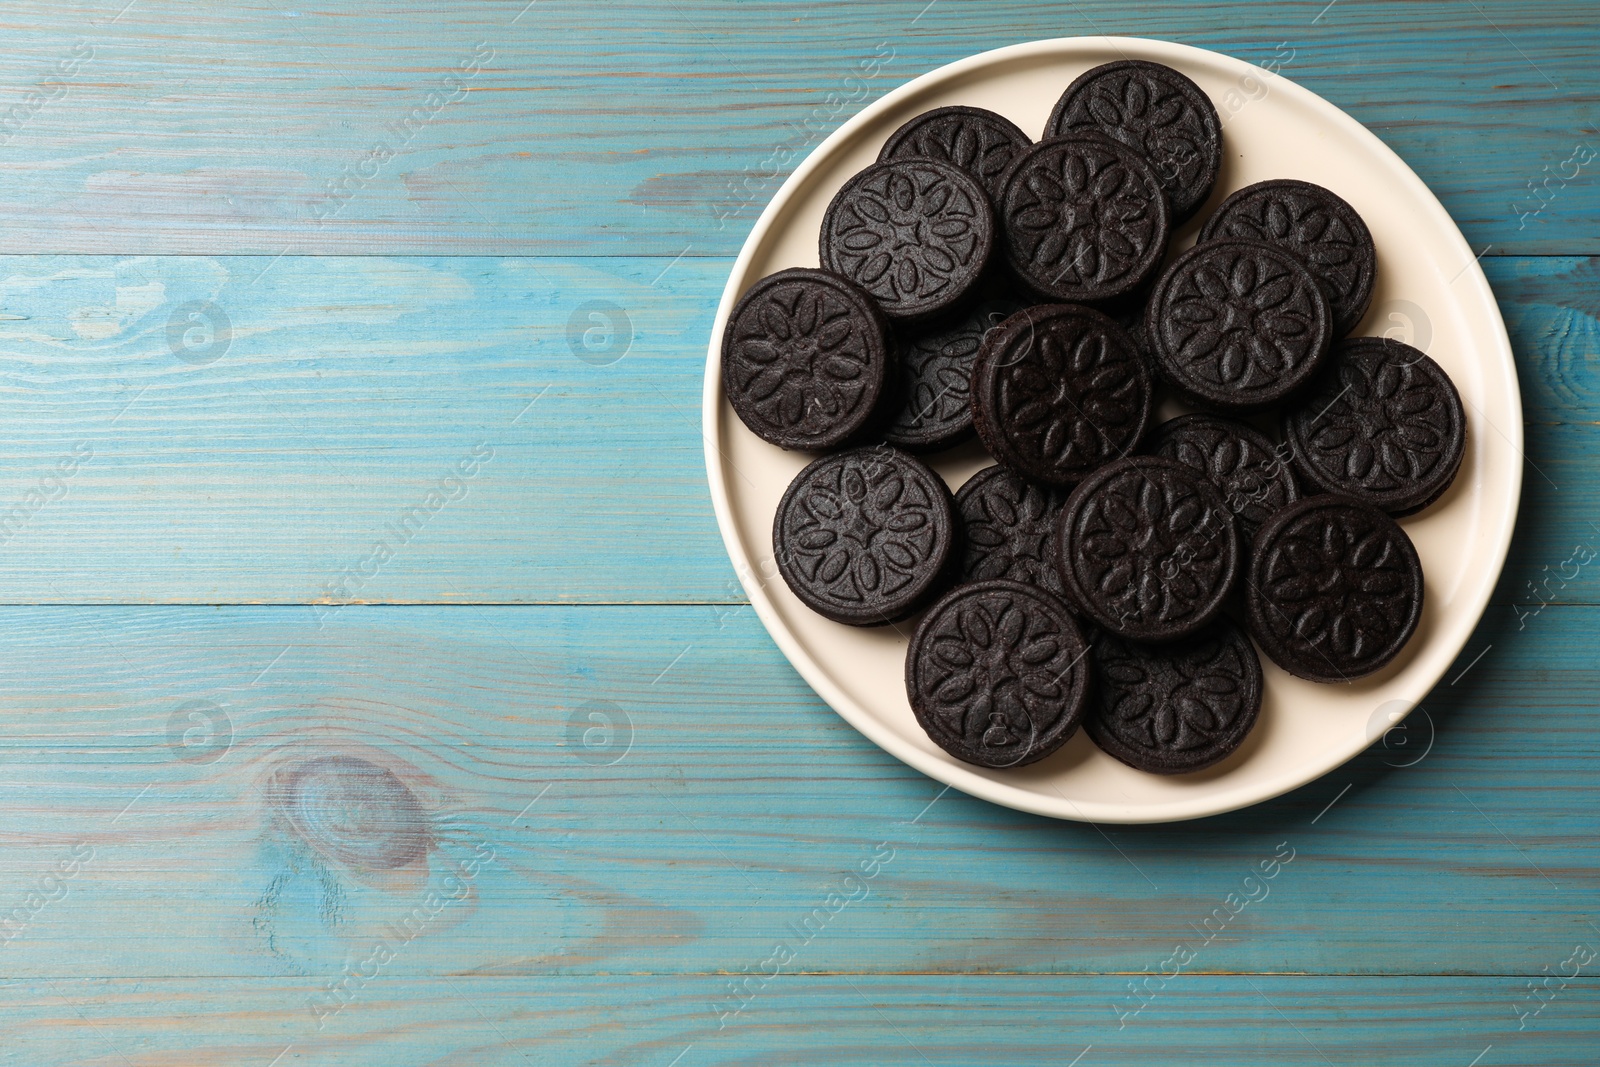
{"points": [[1009, 529]]}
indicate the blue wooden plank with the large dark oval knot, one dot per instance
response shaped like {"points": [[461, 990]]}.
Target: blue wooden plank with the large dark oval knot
{"points": [[652, 789]]}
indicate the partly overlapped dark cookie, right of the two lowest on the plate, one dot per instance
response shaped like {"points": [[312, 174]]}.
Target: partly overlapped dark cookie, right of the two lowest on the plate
{"points": [[1175, 708]]}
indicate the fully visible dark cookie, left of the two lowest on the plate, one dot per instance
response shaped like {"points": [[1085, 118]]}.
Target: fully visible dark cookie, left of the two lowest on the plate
{"points": [[998, 674]]}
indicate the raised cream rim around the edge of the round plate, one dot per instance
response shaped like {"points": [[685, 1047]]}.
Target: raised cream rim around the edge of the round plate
{"points": [[929, 764]]}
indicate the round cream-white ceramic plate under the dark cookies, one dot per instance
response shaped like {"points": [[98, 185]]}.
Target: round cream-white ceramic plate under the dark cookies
{"points": [[1431, 294]]}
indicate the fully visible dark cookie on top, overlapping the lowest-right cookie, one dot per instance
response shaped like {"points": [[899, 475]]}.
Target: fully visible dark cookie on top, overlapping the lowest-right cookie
{"points": [[1148, 549]]}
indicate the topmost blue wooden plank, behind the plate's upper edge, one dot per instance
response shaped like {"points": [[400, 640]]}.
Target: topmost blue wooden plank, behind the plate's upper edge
{"points": [[542, 130]]}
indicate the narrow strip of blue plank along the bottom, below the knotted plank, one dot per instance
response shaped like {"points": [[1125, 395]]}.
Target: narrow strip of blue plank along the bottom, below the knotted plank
{"points": [[1265, 1021]]}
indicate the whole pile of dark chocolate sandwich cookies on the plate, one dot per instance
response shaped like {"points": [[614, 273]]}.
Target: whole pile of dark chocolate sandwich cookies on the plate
{"points": [[1105, 572]]}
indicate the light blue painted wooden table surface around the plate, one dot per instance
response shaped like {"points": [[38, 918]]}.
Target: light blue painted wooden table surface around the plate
{"points": [[377, 689]]}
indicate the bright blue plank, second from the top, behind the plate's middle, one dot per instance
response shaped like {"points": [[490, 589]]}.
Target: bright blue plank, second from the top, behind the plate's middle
{"points": [[350, 388]]}
